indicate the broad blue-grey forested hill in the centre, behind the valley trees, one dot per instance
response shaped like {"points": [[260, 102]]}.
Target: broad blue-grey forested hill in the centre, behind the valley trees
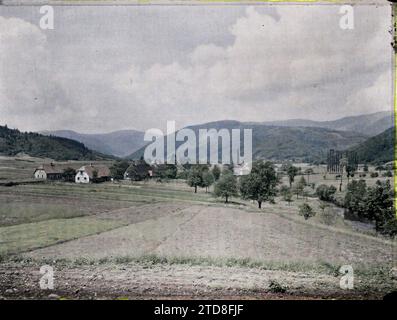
{"points": [[281, 143]]}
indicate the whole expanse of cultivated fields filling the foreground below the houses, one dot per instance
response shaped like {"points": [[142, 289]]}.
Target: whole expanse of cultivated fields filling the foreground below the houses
{"points": [[116, 240]]}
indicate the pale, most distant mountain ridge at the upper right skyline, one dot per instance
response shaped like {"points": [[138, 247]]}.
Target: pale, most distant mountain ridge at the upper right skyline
{"points": [[367, 124]]}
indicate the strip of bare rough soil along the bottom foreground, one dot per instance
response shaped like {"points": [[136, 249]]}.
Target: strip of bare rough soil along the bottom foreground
{"points": [[140, 281]]}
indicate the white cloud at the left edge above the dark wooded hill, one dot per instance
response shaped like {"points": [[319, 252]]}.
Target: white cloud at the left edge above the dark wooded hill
{"points": [[29, 90]]}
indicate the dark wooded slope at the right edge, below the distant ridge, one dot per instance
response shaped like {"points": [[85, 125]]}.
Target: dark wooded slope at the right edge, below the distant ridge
{"points": [[378, 149]]}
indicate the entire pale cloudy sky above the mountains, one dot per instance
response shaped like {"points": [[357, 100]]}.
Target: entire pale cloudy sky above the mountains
{"points": [[109, 68]]}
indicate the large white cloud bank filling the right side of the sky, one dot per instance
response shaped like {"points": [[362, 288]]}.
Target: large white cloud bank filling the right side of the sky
{"points": [[273, 69]]}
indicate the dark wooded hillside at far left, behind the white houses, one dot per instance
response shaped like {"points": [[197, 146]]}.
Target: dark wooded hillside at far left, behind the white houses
{"points": [[12, 142]]}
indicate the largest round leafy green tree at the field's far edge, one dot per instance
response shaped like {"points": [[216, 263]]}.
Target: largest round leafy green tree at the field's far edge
{"points": [[260, 184]]}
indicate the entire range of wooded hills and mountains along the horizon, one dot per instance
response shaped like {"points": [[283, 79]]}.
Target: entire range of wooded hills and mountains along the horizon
{"points": [[296, 139]]}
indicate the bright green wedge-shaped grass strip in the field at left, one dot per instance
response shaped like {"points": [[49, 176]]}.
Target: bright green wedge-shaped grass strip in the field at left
{"points": [[25, 237]]}
